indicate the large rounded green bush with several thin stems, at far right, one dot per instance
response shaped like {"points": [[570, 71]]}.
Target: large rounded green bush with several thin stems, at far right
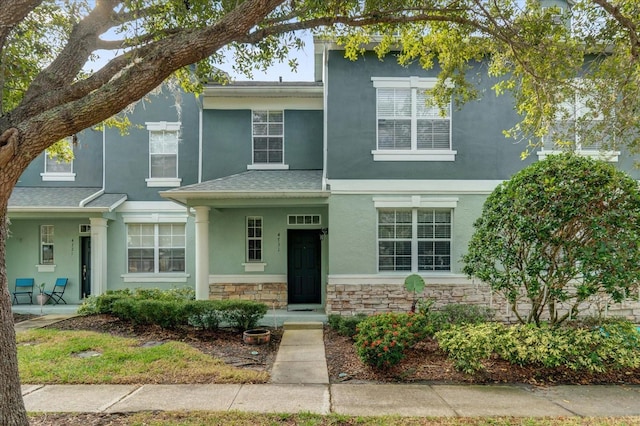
{"points": [[557, 233]]}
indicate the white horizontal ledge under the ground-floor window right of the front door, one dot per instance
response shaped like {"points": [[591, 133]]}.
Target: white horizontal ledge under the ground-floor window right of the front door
{"points": [[397, 279]]}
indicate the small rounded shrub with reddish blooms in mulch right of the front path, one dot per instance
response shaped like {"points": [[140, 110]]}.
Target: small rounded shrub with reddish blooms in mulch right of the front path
{"points": [[382, 338]]}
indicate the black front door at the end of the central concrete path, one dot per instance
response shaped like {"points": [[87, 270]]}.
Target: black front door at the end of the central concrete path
{"points": [[304, 255]]}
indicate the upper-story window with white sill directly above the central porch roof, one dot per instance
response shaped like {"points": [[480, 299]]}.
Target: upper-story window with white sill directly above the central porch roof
{"points": [[268, 139]]}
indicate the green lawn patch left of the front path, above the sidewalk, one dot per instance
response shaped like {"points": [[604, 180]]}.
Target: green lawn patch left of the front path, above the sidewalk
{"points": [[49, 356]]}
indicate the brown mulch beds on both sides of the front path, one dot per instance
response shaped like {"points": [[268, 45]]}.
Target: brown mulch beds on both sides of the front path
{"points": [[425, 363]]}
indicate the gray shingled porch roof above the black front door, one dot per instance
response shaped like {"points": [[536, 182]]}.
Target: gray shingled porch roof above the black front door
{"points": [[255, 184]]}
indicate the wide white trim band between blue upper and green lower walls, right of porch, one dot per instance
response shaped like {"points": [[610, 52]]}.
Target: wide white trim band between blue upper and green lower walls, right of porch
{"points": [[393, 186]]}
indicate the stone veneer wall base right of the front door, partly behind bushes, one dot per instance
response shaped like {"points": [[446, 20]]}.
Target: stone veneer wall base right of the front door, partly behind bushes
{"points": [[350, 299]]}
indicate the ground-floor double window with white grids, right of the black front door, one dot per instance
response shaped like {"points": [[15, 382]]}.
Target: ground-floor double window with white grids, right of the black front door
{"points": [[414, 239]]}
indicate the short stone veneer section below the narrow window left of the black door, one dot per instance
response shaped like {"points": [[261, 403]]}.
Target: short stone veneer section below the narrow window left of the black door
{"points": [[274, 295]]}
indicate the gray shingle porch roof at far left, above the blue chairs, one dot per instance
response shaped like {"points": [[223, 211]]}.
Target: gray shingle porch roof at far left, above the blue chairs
{"points": [[62, 199]]}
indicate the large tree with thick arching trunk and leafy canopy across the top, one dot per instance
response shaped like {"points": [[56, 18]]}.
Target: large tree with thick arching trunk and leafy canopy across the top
{"points": [[49, 89]]}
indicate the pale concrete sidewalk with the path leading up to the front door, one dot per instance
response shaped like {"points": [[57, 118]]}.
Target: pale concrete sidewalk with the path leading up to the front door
{"points": [[300, 383]]}
